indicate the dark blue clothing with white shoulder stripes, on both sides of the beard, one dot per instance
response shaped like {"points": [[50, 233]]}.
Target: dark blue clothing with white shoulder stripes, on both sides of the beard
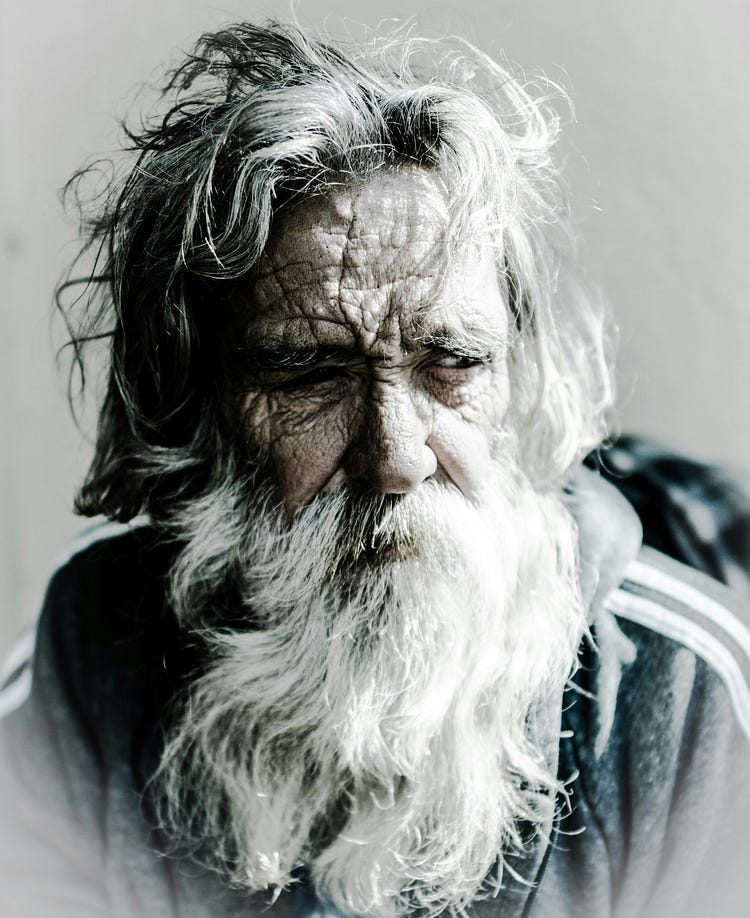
{"points": [[653, 729]]}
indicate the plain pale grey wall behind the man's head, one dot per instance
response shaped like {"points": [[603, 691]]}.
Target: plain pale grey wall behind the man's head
{"points": [[658, 165]]}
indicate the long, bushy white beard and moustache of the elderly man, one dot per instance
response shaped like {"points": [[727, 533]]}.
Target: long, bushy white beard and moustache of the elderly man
{"points": [[380, 724]]}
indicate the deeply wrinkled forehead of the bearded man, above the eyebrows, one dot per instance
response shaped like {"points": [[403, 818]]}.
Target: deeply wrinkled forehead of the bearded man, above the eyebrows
{"points": [[377, 260]]}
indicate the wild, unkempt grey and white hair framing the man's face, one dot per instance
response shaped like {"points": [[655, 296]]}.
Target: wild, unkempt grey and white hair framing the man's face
{"points": [[250, 121]]}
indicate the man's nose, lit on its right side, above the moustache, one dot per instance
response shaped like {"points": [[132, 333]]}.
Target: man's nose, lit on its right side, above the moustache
{"points": [[389, 449]]}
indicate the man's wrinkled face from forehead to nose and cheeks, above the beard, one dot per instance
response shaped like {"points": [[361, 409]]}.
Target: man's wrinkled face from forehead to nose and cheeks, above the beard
{"points": [[375, 355]]}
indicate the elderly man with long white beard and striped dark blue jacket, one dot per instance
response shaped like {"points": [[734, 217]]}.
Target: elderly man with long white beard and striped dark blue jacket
{"points": [[361, 636]]}
